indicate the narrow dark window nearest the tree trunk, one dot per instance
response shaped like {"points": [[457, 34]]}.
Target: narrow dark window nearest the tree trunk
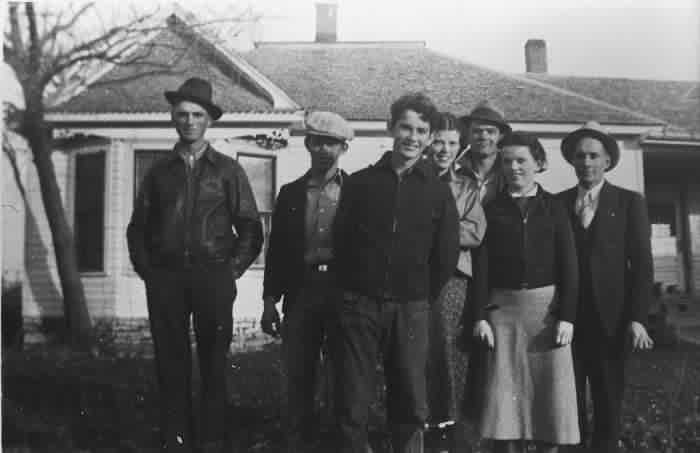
{"points": [[89, 211]]}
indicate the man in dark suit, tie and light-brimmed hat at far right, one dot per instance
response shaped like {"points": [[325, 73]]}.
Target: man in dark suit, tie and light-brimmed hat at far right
{"points": [[612, 232]]}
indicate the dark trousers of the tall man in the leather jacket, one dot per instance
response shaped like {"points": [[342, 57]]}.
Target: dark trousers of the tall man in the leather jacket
{"points": [[206, 293]]}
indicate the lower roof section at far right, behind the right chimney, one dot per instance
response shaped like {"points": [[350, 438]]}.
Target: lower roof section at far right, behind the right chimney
{"points": [[677, 102]]}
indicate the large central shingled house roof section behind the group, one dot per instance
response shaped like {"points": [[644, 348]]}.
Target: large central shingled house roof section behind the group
{"points": [[360, 81]]}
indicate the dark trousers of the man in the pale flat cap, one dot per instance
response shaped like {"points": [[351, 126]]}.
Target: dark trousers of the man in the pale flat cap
{"points": [[307, 320]]}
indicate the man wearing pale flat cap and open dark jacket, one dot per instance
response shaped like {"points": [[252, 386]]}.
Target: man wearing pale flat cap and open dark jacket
{"points": [[299, 268]]}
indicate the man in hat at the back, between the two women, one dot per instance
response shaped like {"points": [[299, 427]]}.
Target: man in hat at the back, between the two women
{"points": [[485, 126]]}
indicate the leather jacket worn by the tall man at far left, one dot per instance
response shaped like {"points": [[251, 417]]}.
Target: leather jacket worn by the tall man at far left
{"points": [[185, 216]]}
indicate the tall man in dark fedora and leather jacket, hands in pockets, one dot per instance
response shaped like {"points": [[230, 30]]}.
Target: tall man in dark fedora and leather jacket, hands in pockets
{"points": [[182, 244]]}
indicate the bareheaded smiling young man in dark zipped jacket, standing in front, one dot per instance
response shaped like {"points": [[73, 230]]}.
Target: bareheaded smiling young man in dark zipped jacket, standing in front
{"points": [[396, 244]]}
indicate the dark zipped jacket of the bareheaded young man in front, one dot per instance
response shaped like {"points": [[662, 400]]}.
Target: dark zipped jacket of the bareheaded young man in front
{"points": [[394, 237]]}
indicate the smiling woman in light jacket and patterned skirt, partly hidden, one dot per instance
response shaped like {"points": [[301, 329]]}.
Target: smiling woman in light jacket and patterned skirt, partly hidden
{"points": [[446, 363]]}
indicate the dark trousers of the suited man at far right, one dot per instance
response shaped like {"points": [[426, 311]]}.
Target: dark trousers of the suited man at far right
{"points": [[601, 362]]}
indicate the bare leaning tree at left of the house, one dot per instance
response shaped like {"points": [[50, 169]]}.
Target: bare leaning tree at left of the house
{"points": [[53, 55]]}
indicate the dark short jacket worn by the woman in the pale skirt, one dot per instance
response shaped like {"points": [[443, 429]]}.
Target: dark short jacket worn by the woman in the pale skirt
{"points": [[528, 250]]}
